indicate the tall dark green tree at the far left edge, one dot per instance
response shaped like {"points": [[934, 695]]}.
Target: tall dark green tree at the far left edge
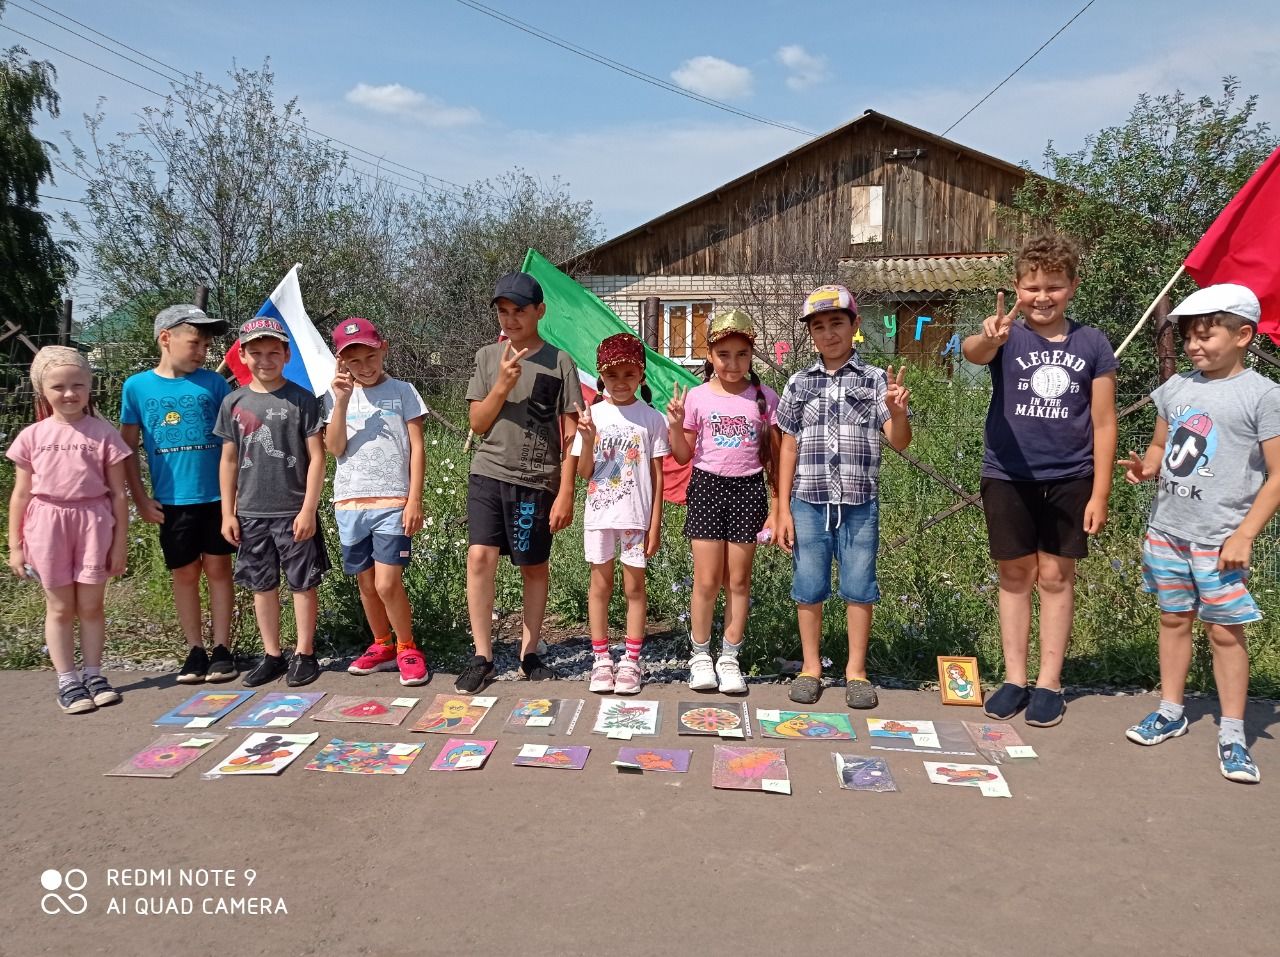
{"points": [[34, 268]]}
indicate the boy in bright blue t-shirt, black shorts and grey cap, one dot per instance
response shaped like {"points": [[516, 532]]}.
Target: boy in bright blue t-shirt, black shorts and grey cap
{"points": [[172, 411]]}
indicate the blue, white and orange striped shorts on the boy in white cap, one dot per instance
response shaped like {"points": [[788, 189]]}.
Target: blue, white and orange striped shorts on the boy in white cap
{"points": [[1185, 578]]}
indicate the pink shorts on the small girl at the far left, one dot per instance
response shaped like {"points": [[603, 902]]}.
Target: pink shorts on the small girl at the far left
{"points": [[68, 542]]}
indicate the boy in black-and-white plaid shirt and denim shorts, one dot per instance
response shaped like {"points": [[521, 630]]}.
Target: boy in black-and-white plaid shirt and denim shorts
{"points": [[833, 416]]}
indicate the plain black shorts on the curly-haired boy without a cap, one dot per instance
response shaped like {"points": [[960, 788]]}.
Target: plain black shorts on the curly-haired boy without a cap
{"points": [[1028, 518]]}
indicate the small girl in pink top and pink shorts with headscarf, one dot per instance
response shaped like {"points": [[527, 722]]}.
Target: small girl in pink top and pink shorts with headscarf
{"points": [[68, 520]]}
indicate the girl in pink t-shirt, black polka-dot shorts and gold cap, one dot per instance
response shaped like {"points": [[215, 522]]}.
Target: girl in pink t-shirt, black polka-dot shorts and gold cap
{"points": [[726, 428]]}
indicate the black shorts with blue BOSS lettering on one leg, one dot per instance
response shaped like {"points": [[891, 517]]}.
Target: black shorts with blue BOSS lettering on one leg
{"points": [[514, 518]]}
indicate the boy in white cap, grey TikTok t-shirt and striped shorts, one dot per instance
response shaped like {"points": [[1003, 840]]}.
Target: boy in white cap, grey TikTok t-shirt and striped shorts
{"points": [[1217, 457]]}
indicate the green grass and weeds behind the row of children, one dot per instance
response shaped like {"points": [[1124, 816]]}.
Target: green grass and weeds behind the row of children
{"points": [[939, 587]]}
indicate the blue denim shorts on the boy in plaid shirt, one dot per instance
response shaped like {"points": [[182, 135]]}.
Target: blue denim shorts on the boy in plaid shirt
{"points": [[848, 534]]}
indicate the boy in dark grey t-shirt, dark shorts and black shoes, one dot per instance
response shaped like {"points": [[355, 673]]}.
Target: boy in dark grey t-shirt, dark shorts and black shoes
{"points": [[272, 474]]}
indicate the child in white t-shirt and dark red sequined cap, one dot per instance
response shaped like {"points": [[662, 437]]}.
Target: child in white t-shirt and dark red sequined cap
{"points": [[624, 501]]}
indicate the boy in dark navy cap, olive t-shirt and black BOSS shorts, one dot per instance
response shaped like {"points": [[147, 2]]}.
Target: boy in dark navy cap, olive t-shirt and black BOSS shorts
{"points": [[524, 396]]}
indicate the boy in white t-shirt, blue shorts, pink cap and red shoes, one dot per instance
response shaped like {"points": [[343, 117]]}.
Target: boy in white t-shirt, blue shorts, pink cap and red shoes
{"points": [[376, 432]]}
